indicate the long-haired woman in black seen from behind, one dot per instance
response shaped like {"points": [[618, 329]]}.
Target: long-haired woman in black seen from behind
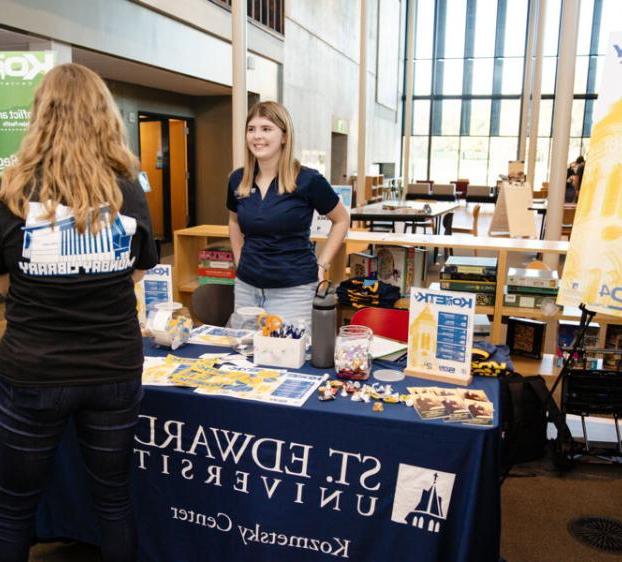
{"points": [[75, 235]]}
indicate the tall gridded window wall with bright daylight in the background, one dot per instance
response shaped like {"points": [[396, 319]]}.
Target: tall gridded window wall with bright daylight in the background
{"points": [[468, 76]]}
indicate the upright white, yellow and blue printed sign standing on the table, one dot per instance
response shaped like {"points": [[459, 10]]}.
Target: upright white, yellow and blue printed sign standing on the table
{"points": [[440, 335]]}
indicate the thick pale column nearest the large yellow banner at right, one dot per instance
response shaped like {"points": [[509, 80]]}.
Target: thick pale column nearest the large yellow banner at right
{"points": [[562, 111]]}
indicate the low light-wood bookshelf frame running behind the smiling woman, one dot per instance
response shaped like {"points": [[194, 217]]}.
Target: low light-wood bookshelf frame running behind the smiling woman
{"points": [[189, 241]]}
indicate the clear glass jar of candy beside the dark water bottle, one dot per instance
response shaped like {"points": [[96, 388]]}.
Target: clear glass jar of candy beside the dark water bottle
{"points": [[353, 352]]}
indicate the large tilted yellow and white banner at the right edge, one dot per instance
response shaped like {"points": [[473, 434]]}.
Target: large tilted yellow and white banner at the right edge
{"points": [[593, 270]]}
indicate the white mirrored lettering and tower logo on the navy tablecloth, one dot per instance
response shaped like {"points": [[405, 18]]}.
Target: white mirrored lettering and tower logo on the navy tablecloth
{"points": [[351, 483]]}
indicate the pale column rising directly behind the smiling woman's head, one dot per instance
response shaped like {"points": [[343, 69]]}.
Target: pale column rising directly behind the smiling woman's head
{"points": [[239, 95]]}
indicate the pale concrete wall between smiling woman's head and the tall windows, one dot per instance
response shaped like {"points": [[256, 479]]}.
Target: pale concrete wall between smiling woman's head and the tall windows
{"points": [[320, 79]]}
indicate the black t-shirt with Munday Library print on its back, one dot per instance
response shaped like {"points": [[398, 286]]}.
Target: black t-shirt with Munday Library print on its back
{"points": [[71, 308]]}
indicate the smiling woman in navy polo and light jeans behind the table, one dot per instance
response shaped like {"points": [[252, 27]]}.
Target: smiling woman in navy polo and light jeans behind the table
{"points": [[271, 202]]}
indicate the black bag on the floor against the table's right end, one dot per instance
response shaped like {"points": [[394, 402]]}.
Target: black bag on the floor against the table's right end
{"points": [[523, 419]]}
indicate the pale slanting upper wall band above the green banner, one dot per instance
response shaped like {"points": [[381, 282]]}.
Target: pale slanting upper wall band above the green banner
{"points": [[124, 29]]}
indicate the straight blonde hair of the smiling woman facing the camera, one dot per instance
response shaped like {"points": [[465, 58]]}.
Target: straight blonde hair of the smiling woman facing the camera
{"points": [[288, 167]]}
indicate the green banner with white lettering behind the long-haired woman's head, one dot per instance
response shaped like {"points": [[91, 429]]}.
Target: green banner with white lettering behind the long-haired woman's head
{"points": [[20, 74]]}
